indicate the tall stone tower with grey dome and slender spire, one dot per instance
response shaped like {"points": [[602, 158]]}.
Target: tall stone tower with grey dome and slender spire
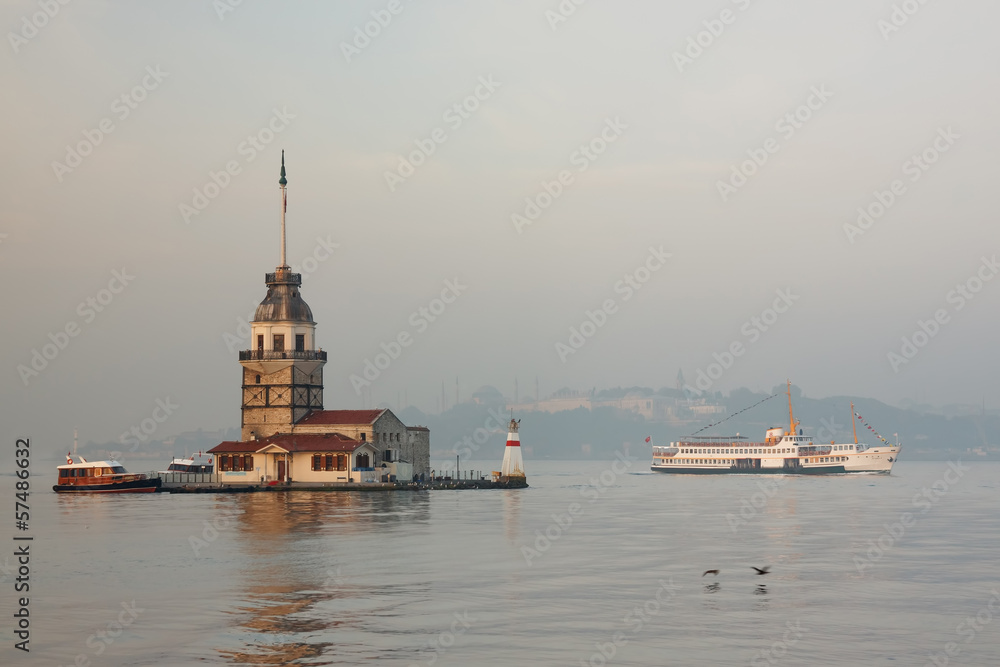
{"points": [[283, 369]]}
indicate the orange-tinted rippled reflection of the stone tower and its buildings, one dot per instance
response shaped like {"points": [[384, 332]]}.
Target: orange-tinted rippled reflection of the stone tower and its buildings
{"points": [[299, 584]]}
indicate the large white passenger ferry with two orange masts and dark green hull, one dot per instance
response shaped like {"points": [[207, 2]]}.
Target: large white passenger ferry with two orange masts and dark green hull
{"points": [[781, 452]]}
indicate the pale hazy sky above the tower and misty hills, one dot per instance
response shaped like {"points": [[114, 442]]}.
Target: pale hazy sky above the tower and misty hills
{"points": [[831, 100]]}
